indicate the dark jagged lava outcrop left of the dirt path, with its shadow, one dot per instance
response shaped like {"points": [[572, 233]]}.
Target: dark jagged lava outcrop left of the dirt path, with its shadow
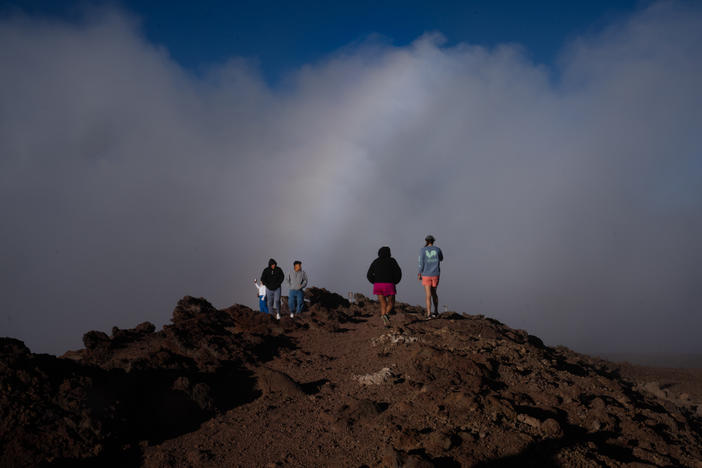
{"points": [[136, 385]]}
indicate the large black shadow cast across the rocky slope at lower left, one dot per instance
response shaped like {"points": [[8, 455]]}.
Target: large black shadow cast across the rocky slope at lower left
{"points": [[153, 406]]}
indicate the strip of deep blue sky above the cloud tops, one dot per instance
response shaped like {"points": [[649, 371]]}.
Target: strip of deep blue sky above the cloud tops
{"points": [[281, 36]]}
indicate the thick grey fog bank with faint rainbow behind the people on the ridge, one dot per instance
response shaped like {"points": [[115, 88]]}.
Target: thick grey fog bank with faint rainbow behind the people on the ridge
{"points": [[567, 199]]}
